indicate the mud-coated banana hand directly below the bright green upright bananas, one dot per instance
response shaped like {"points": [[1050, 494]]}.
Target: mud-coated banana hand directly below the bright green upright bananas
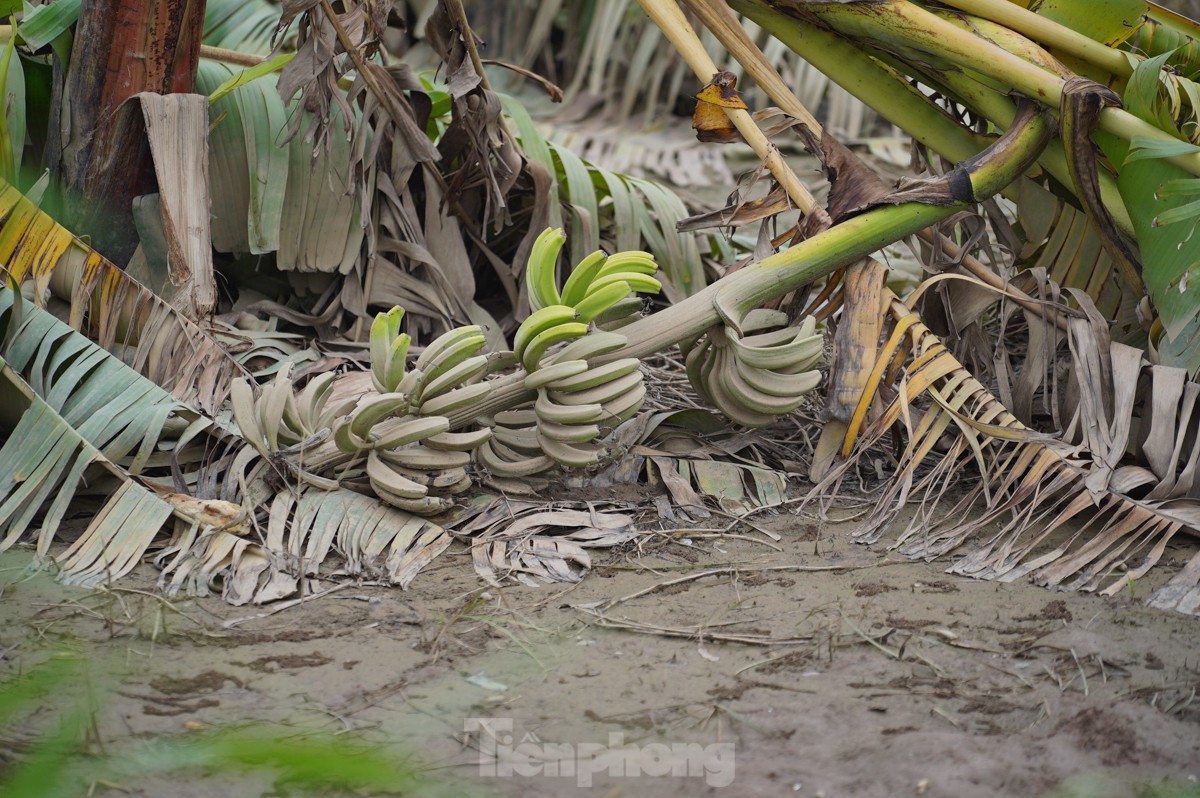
{"points": [[579, 401]]}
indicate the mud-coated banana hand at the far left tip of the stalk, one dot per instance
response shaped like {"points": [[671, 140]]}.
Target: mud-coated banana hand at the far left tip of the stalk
{"points": [[281, 418]]}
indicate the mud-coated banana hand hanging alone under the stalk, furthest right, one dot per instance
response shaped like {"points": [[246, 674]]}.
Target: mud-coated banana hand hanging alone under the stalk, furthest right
{"points": [[755, 379]]}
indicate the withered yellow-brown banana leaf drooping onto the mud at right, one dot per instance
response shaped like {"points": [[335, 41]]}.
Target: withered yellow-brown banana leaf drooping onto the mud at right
{"points": [[1035, 487]]}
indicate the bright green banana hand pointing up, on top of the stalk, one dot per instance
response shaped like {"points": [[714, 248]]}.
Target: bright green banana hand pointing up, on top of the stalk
{"points": [[601, 290]]}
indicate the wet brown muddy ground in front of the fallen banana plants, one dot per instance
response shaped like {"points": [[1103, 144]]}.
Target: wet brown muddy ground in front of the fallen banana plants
{"points": [[811, 667]]}
